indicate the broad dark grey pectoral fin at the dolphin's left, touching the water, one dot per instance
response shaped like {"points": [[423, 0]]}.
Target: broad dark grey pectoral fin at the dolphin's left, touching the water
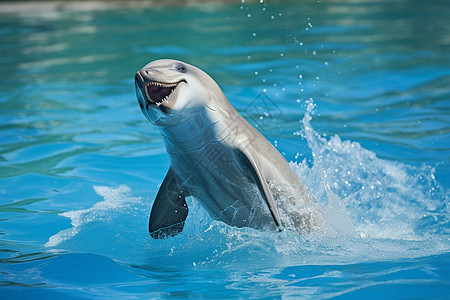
{"points": [[169, 210]]}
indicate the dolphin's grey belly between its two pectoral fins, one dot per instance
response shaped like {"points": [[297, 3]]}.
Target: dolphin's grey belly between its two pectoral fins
{"points": [[216, 177]]}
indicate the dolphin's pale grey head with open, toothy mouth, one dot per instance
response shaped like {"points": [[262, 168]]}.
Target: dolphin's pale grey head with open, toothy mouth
{"points": [[171, 91]]}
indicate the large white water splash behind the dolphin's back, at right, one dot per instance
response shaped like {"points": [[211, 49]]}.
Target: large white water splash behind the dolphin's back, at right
{"points": [[386, 199]]}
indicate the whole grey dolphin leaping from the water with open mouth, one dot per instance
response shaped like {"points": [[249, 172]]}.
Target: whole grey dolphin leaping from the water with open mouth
{"points": [[216, 156]]}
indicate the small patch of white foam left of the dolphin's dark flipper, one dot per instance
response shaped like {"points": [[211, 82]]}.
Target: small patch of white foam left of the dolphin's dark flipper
{"points": [[114, 198]]}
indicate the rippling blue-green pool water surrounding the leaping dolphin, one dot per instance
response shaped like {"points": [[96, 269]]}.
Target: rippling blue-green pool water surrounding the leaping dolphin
{"points": [[354, 94]]}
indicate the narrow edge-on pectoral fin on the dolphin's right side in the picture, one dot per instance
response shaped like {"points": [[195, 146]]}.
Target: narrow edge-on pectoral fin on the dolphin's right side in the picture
{"points": [[263, 187]]}
